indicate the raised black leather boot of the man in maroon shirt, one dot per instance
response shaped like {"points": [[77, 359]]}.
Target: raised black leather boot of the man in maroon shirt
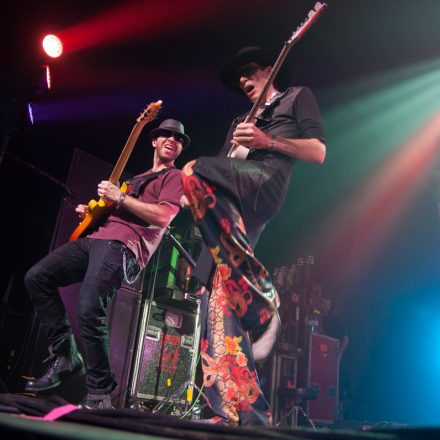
{"points": [[65, 361]]}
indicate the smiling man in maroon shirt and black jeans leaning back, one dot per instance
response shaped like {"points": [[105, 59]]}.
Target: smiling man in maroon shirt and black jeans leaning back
{"points": [[118, 250]]}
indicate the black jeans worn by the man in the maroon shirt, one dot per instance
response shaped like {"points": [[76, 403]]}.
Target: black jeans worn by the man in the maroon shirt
{"points": [[98, 264]]}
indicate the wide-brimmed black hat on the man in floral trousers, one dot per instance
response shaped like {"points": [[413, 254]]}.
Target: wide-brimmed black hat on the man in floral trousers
{"points": [[253, 54]]}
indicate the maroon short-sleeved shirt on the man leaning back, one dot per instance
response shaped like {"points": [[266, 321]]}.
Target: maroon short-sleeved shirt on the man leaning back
{"points": [[140, 237]]}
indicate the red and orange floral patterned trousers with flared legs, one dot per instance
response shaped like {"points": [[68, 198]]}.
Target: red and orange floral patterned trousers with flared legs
{"points": [[240, 300]]}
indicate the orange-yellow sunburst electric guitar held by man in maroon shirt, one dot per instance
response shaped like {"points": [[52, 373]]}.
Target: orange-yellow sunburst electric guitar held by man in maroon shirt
{"points": [[98, 210]]}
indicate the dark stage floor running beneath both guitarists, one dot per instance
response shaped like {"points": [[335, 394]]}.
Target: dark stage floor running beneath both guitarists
{"points": [[23, 417]]}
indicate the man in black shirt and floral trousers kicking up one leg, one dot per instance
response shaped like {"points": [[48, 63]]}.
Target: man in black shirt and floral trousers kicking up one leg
{"points": [[232, 197]]}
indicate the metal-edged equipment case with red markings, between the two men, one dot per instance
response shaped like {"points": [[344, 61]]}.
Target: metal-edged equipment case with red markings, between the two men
{"points": [[166, 354]]}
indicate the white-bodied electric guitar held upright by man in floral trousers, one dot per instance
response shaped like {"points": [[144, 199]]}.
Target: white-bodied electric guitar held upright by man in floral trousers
{"points": [[239, 151]]}
